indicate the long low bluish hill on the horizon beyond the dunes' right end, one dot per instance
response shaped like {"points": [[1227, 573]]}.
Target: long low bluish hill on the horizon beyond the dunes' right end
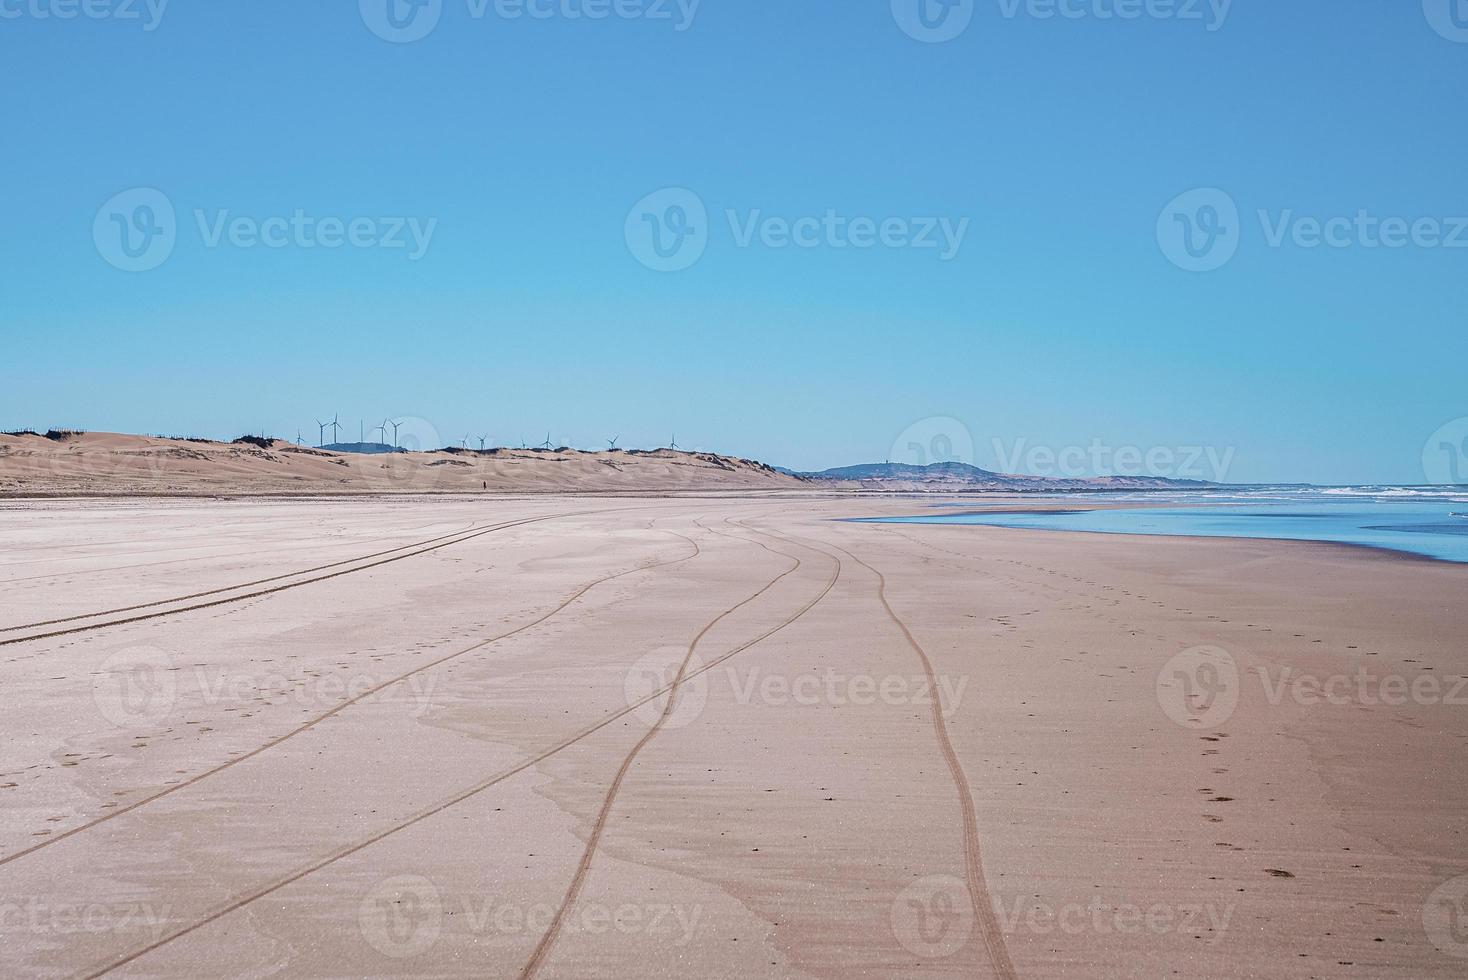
{"points": [[943, 478]]}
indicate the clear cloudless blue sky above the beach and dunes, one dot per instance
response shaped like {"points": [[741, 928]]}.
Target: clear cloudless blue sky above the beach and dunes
{"points": [[1014, 221]]}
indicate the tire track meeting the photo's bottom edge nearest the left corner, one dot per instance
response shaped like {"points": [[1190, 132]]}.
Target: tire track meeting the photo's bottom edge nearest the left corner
{"points": [[460, 797]]}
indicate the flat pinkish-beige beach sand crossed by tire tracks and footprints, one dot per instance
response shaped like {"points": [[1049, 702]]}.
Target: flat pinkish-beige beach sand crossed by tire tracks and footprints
{"points": [[406, 737]]}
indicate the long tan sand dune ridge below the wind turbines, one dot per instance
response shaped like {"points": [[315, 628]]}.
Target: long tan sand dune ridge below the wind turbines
{"points": [[117, 464]]}
